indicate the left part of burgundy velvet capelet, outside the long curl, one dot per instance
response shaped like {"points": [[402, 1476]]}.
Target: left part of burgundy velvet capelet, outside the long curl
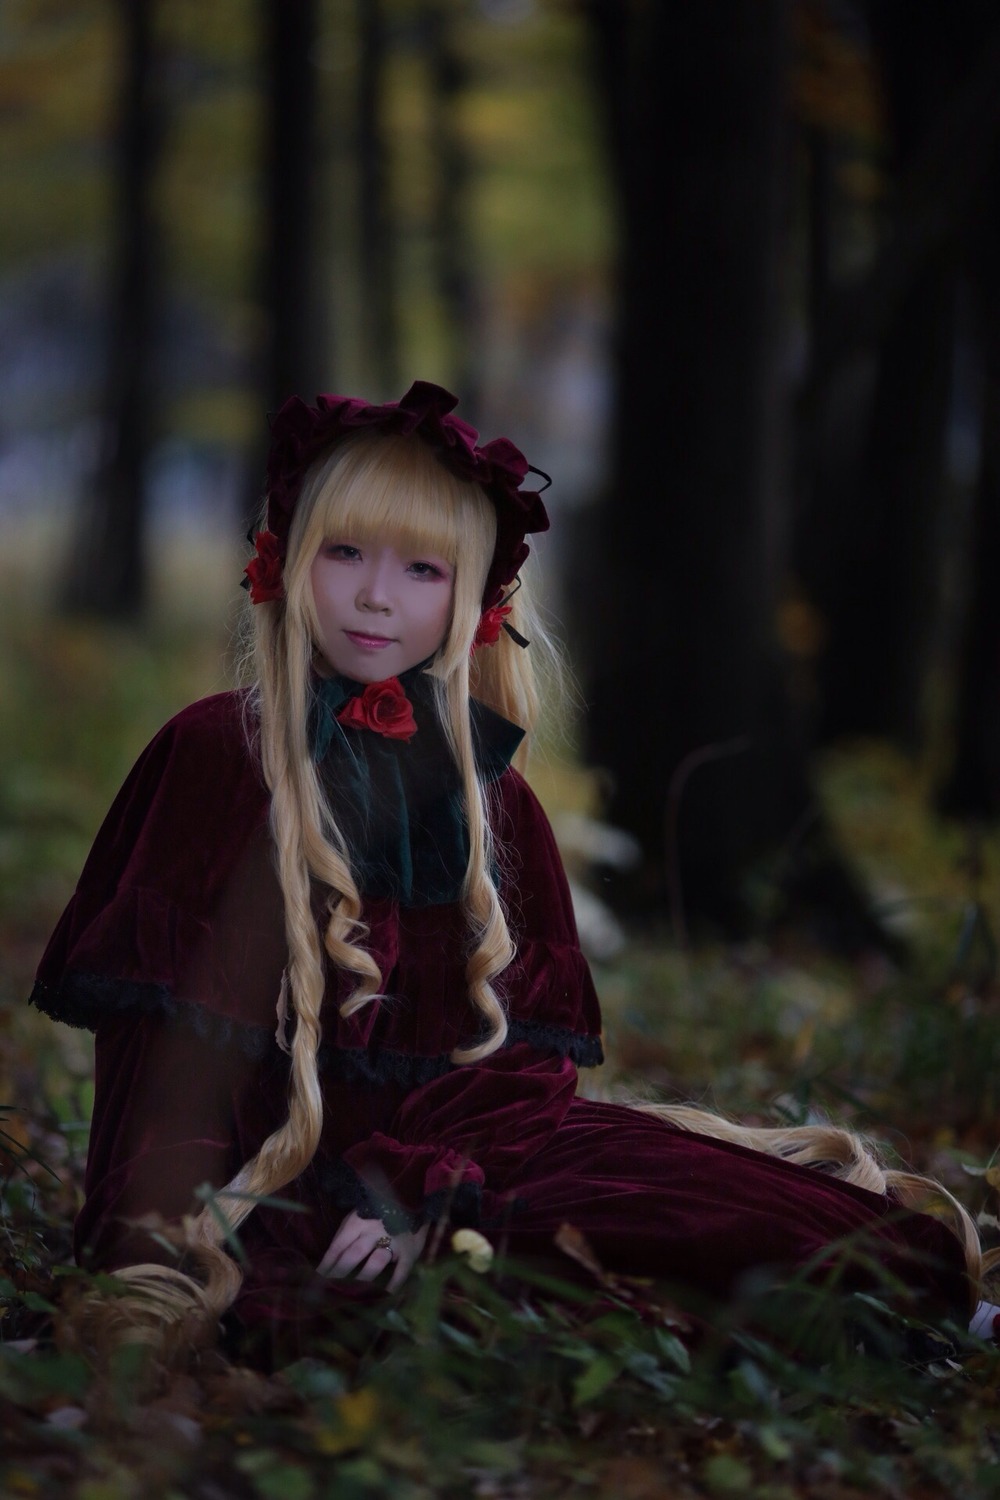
{"points": [[145, 914]]}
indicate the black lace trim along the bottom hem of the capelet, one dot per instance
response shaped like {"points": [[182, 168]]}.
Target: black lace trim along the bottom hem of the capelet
{"points": [[88, 998]]}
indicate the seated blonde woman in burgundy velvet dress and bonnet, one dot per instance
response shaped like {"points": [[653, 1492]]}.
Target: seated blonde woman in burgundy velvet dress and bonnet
{"points": [[328, 946]]}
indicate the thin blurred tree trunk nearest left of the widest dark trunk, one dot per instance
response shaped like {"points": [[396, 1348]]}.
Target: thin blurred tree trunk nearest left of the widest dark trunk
{"points": [[452, 250]]}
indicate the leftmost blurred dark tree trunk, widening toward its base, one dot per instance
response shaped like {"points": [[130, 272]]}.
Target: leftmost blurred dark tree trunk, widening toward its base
{"points": [[107, 572]]}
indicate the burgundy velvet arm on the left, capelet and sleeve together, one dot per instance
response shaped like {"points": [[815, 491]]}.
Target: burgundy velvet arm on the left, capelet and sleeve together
{"points": [[172, 952]]}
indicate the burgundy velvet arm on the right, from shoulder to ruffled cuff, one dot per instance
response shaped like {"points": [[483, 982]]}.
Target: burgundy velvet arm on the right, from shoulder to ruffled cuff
{"points": [[478, 1124]]}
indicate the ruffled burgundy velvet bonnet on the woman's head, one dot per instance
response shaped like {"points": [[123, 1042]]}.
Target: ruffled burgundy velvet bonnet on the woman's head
{"points": [[301, 434]]}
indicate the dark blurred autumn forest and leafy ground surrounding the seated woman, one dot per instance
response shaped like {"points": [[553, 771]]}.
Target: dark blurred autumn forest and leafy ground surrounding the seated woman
{"points": [[726, 272]]}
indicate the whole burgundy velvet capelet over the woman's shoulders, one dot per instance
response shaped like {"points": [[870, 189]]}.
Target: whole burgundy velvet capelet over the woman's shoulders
{"points": [[179, 913]]}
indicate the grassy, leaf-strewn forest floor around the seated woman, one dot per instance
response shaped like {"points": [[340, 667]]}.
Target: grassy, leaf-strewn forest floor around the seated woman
{"points": [[507, 1384]]}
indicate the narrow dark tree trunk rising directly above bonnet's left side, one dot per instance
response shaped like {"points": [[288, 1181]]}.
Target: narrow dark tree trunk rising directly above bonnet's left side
{"points": [[295, 344]]}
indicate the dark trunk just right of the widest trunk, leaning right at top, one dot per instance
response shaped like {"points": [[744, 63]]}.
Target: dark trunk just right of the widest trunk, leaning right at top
{"points": [[878, 401]]}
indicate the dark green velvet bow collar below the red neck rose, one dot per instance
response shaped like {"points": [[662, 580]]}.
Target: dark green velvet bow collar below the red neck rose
{"points": [[400, 803]]}
